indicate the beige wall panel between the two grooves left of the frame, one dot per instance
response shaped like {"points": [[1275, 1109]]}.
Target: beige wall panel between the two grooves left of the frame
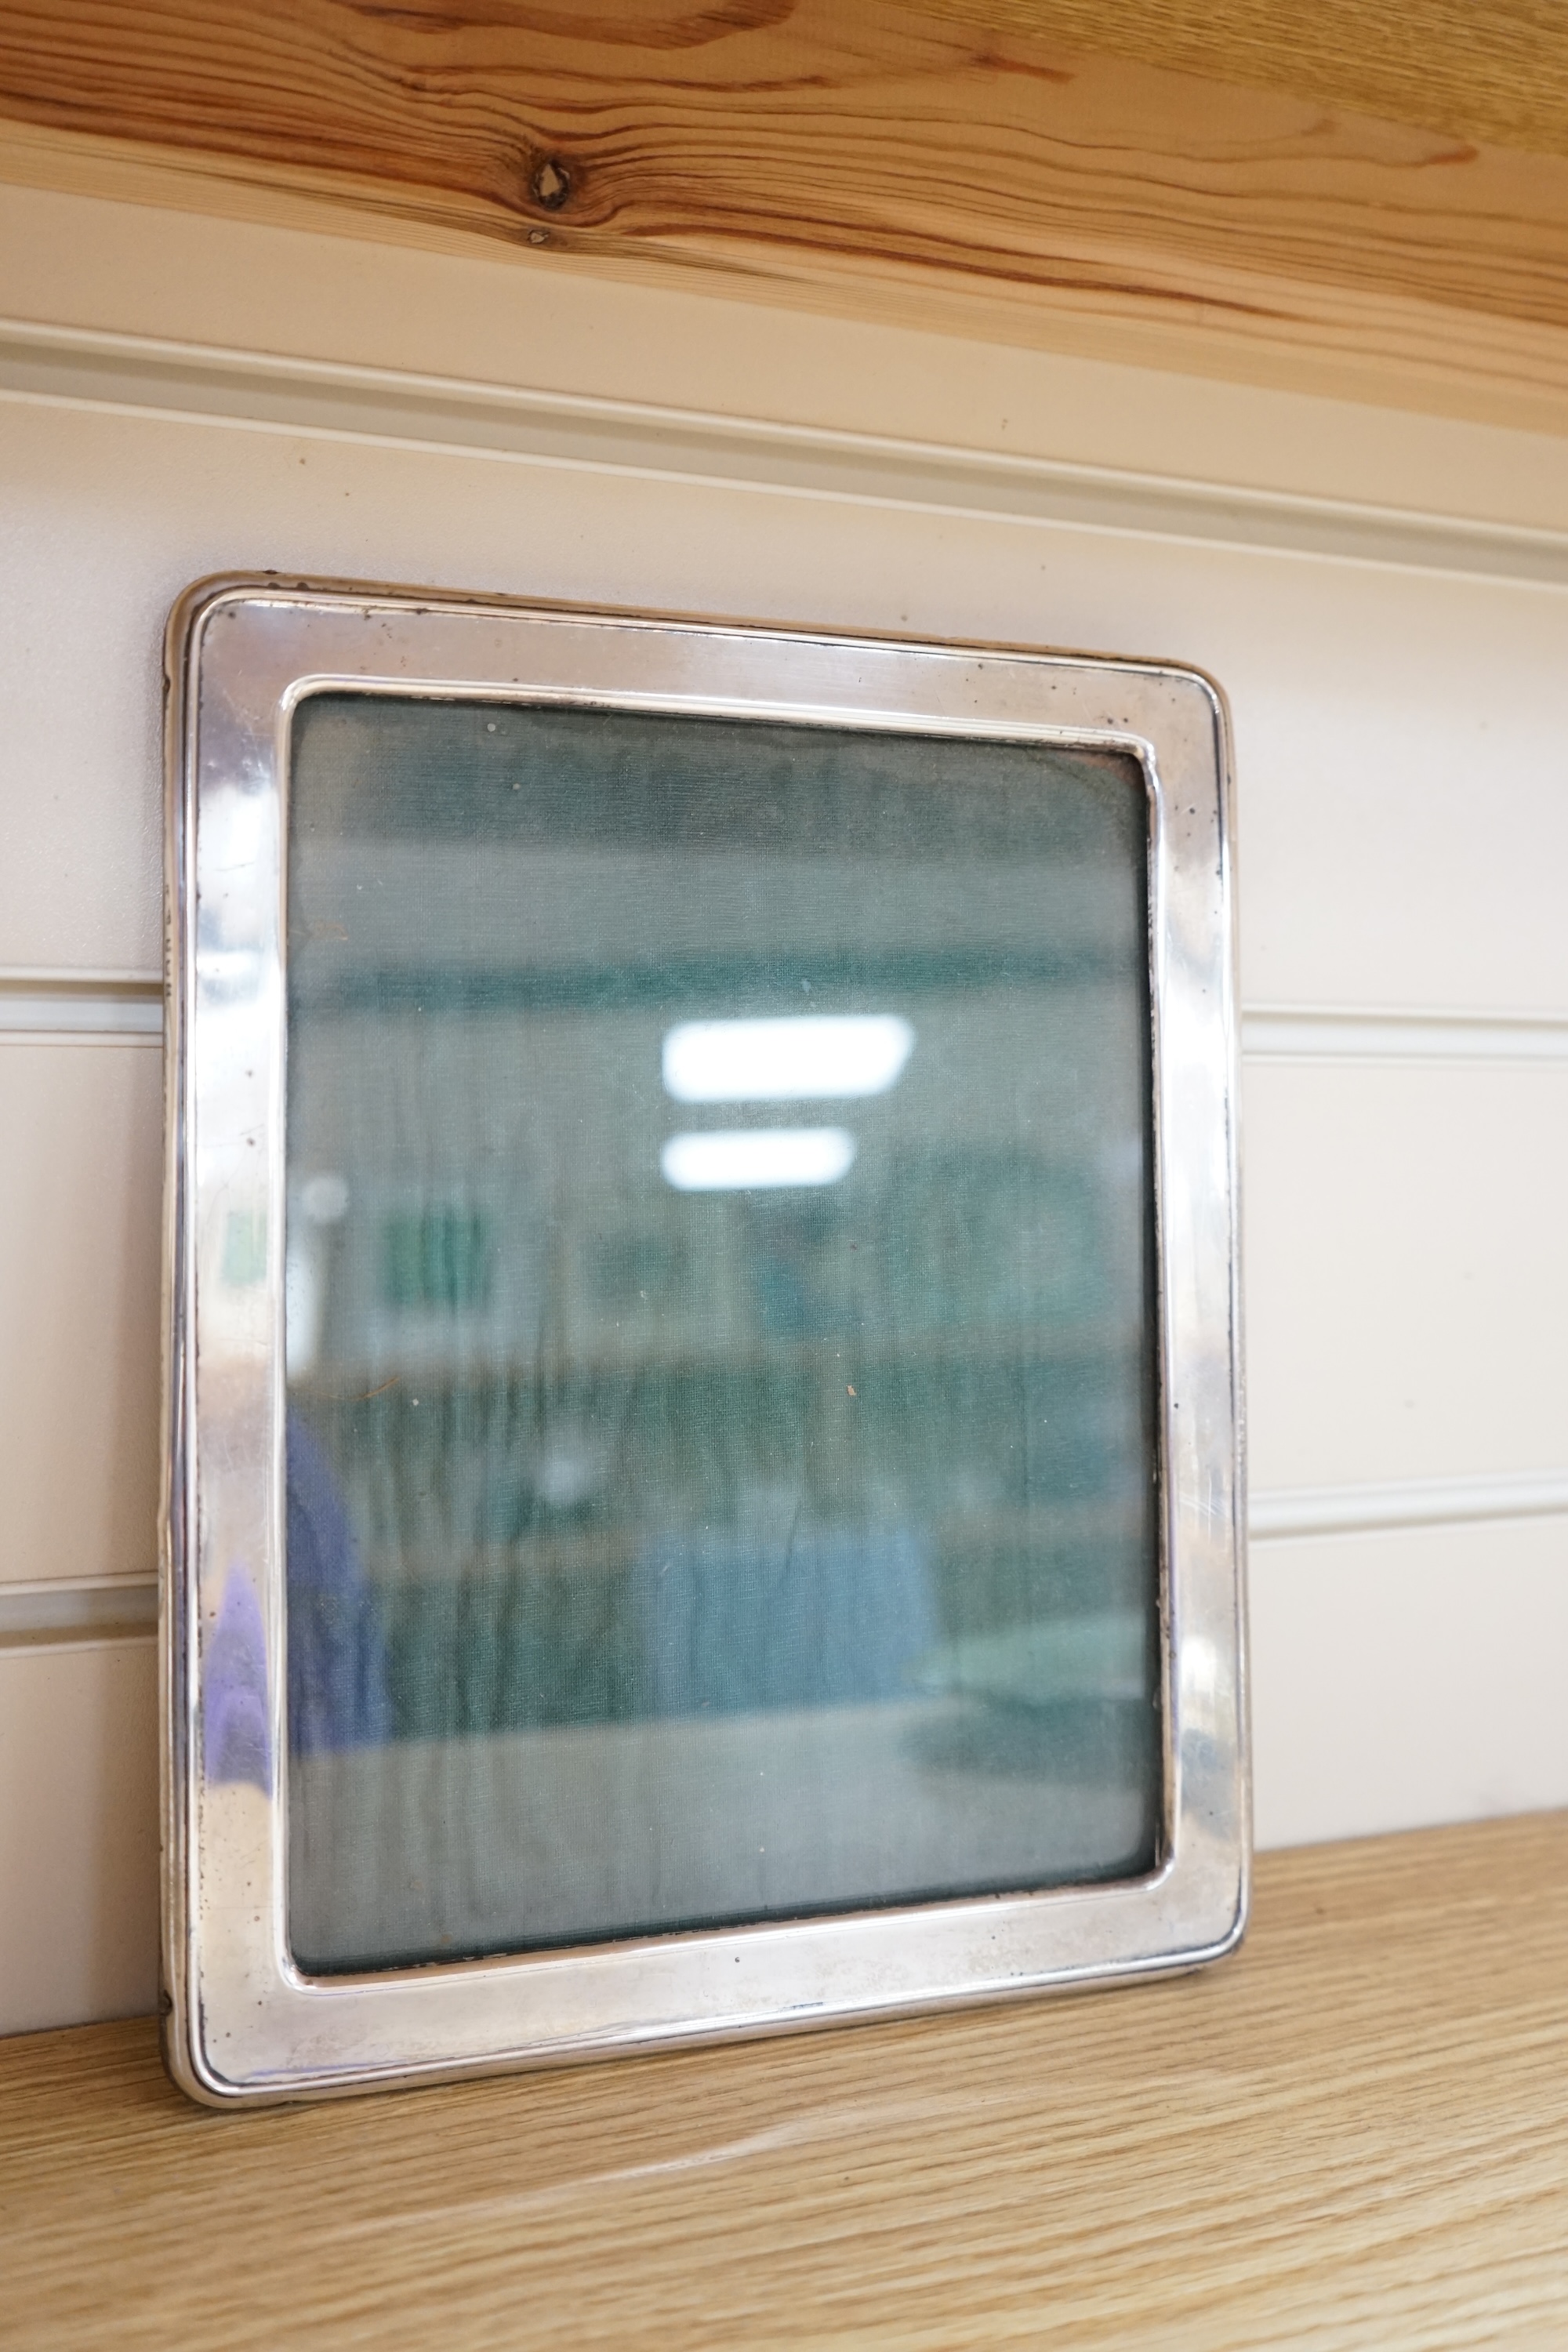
{"points": [[81, 1238]]}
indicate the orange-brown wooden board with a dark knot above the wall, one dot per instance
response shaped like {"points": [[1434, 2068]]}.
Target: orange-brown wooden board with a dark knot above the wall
{"points": [[897, 161]]}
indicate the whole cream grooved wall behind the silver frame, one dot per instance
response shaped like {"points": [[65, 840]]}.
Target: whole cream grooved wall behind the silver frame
{"points": [[1405, 958]]}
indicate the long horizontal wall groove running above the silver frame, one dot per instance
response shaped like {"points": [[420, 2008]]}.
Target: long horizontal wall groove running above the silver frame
{"points": [[391, 408]]}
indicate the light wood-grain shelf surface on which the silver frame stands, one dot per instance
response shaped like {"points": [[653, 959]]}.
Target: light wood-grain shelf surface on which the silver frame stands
{"points": [[1355, 2134]]}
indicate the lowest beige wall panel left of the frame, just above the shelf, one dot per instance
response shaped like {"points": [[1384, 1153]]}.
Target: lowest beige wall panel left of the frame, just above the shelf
{"points": [[79, 1833]]}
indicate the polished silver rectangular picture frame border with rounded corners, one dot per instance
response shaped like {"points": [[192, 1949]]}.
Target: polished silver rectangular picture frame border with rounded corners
{"points": [[243, 2019]]}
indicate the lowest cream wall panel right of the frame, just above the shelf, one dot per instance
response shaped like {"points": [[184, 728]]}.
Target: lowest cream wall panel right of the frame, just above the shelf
{"points": [[1409, 1678]]}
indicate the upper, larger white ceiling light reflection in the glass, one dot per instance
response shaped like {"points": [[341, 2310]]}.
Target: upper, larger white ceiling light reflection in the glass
{"points": [[808, 1057]]}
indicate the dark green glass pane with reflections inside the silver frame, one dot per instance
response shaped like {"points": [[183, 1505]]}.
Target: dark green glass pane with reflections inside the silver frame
{"points": [[704, 1509]]}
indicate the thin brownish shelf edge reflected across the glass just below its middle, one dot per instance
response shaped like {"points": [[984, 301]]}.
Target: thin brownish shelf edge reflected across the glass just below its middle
{"points": [[782, 1358]]}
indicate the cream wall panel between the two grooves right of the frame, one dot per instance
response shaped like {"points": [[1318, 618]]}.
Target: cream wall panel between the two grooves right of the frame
{"points": [[1407, 1271]]}
